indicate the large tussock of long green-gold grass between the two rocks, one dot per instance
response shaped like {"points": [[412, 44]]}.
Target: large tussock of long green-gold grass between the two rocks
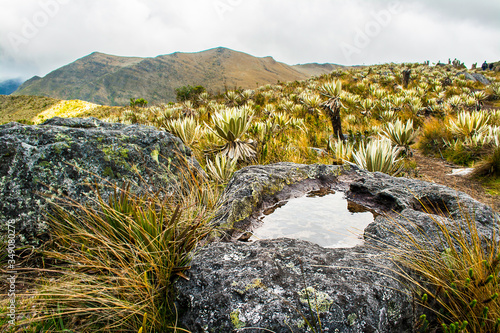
{"points": [[114, 261]]}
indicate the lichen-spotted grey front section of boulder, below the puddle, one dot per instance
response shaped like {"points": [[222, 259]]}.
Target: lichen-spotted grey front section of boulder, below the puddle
{"points": [[263, 285]]}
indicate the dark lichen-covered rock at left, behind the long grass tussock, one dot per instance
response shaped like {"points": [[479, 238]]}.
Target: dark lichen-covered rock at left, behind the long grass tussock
{"points": [[62, 156]]}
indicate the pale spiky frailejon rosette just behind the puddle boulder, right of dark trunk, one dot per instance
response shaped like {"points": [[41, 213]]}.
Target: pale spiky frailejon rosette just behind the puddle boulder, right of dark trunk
{"points": [[379, 155]]}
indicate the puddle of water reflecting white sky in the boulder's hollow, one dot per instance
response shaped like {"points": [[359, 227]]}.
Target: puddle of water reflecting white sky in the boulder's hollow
{"points": [[322, 217]]}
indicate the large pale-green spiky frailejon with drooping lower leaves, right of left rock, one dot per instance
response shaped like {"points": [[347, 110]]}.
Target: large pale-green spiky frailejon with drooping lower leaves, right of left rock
{"points": [[230, 125]]}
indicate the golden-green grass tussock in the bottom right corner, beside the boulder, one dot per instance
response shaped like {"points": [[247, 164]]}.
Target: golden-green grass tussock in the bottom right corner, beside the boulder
{"points": [[455, 276]]}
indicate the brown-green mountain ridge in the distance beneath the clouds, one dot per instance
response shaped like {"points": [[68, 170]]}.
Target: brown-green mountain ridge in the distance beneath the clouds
{"points": [[113, 80]]}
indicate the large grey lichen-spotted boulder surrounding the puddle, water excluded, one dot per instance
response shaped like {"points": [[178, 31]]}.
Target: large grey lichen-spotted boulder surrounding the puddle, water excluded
{"points": [[279, 284]]}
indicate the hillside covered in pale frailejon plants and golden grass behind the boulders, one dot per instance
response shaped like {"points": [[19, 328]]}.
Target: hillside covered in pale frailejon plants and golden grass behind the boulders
{"points": [[372, 116]]}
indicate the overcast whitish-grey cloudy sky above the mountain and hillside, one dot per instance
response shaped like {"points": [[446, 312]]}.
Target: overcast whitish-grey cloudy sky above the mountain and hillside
{"points": [[38, 36]]}
